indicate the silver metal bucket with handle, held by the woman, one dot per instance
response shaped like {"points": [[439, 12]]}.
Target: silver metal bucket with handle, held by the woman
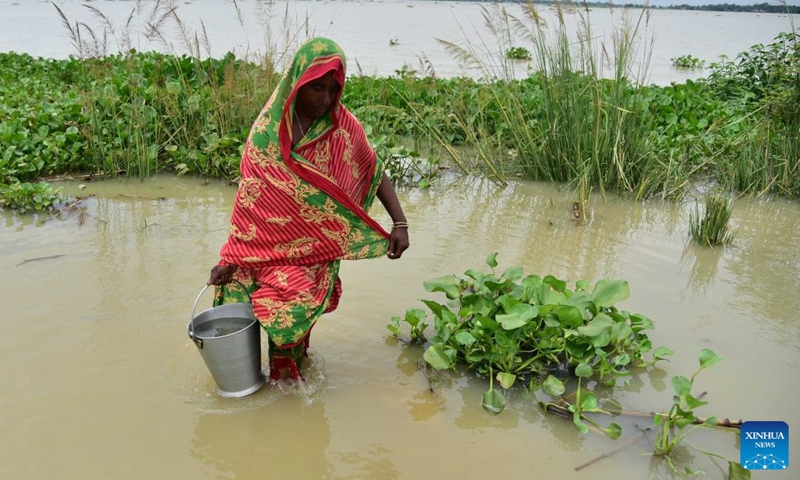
{"points": [[229, 340]]}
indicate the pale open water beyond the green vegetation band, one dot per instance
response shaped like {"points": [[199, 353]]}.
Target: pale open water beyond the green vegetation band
{"points": [[379, 37]]}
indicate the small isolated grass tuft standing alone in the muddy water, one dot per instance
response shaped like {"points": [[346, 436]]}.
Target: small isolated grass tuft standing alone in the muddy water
{"points": [[711, 226]]}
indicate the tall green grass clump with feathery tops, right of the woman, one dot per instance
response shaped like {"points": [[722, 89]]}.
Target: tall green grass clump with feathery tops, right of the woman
{"points": [[589, 125]]}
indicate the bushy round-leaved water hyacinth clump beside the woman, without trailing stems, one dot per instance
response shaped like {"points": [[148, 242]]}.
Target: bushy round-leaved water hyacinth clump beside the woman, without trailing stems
{"points": [[512, 327]]}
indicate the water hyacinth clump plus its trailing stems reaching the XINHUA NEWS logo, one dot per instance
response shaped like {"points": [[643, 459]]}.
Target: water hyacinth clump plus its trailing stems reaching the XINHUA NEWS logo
{"points": [[513, 328]]}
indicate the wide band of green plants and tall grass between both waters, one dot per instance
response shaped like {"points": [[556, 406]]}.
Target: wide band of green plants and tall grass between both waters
{"points": [[571, 119]]}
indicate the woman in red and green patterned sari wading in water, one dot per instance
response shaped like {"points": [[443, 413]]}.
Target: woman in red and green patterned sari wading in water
{"points": [[308, 178]]}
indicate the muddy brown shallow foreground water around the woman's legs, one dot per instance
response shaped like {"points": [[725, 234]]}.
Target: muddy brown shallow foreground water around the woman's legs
{"points": [[99, 379]]}
